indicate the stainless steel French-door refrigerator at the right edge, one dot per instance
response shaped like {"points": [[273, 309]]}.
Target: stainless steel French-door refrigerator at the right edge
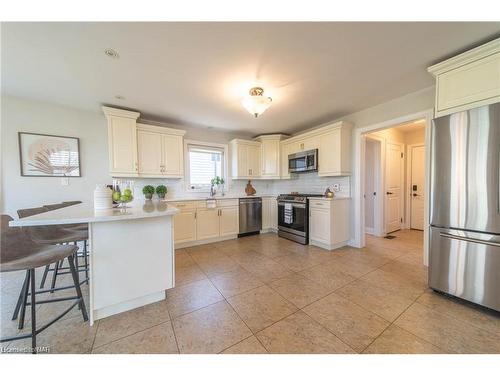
{"points": [[464, 259]]}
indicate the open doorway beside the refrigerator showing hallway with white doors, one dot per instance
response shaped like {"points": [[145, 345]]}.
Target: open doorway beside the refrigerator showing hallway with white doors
{"points": [[394, 179]]}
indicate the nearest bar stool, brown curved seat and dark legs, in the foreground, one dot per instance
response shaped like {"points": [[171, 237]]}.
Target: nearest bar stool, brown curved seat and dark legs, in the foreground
{"points": [[19, 253]]}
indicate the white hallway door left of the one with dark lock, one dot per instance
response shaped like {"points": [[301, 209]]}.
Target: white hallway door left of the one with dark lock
{"points": [[393, 186]]}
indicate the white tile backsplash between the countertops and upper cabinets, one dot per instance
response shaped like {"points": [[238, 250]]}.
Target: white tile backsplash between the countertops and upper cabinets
{"points": [[302, 183]]}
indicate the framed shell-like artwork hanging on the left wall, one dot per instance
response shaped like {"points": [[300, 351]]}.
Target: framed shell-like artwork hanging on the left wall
{"points": [[44, 155]]}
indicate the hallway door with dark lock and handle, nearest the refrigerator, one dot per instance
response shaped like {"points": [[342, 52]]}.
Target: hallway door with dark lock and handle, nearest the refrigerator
{"points": [[417, 188]]}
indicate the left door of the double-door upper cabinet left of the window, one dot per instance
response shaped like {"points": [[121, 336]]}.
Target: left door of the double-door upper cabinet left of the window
{"points": [[149, 153]]}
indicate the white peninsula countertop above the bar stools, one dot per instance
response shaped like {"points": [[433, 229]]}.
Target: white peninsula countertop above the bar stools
{"points": [[85, 213]]}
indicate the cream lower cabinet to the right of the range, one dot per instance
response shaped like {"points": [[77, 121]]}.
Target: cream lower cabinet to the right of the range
{"points": [[328, 222]]}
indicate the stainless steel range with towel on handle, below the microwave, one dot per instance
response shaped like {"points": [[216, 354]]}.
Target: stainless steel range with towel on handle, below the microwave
{"points": [[293, 216]]}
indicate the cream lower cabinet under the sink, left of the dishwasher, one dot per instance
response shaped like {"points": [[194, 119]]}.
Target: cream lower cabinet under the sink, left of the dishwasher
{"points": [[196, 224]]}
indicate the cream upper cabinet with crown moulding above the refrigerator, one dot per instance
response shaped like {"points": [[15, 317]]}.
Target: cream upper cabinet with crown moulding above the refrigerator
{"points": [[469, 80]]}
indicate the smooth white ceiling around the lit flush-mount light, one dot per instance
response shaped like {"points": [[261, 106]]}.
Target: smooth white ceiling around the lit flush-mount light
{"points": [[196, 73]]}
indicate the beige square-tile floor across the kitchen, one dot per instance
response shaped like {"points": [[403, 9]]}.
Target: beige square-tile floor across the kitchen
{"points": [[265, 294]]}
